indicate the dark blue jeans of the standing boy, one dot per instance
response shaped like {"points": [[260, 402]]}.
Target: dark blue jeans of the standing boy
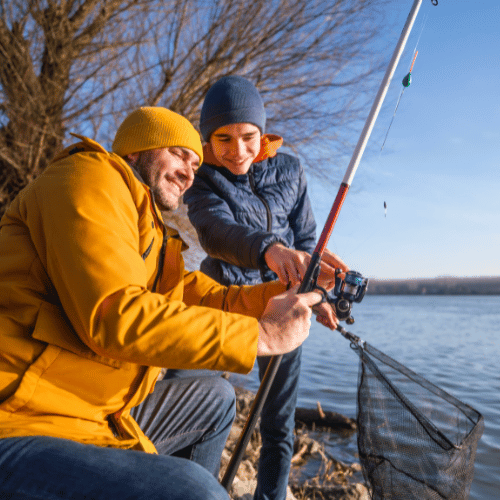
{"points": [[276, 427]]}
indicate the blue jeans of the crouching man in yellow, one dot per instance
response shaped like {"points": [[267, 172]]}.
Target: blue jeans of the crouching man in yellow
{"points": [[189, 419]]}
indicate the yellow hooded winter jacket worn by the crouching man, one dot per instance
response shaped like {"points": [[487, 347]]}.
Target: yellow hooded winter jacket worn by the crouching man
{"points": [[83, 335]]}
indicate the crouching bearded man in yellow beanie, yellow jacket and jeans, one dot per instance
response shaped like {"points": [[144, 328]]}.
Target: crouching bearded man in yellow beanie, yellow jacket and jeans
{"points": [[94, 301]]}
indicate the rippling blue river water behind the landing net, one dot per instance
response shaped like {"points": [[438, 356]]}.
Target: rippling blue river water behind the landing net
{"points": [[453, 341]]}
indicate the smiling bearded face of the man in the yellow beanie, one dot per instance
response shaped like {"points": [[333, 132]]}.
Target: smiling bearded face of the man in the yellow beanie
{"points": [[169, 172]]}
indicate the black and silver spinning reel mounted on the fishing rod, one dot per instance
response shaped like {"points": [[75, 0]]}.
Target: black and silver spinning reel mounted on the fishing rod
{"points": [[345, 292]]}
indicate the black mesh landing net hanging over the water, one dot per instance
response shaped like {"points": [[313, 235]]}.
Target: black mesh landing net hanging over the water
{"points": [[415, 441]]}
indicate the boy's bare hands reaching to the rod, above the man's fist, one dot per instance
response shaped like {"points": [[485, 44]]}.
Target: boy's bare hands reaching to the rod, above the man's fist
{"points": [[291, 265]]}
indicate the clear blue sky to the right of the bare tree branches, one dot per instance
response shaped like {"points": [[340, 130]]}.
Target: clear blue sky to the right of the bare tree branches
{"points": [[439, 170]]}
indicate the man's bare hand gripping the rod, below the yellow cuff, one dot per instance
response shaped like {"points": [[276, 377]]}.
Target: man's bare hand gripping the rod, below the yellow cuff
{"points": [[286, 322]]}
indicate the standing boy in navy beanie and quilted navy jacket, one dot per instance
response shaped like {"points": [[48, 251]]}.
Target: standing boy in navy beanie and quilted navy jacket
{"points": [[250, 208]]}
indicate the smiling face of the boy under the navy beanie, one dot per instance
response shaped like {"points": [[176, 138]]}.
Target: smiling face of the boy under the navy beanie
{"points": [[236, 146]]}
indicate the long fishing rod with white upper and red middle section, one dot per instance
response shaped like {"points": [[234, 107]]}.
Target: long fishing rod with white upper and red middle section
{"points": [[309, 281]]}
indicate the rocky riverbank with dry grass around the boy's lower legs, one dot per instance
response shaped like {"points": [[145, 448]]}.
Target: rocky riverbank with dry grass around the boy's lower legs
{"points": [[315, 474]]}
